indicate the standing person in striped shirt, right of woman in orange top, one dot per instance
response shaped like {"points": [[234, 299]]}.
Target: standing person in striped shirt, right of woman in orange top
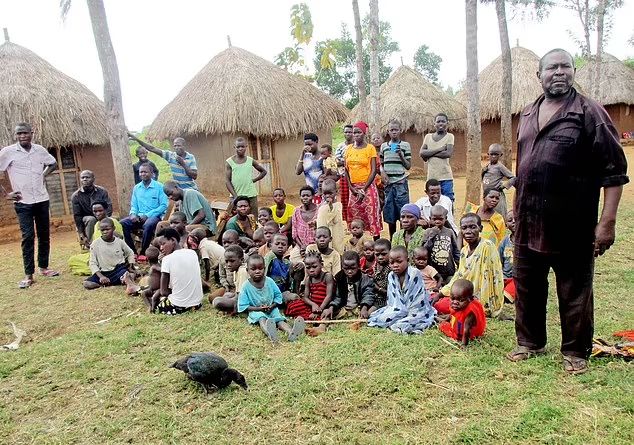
{"points": [[396, 160]]}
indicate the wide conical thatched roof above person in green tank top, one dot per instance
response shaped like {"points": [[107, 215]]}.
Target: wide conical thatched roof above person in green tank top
{"points": [[238, 91]]}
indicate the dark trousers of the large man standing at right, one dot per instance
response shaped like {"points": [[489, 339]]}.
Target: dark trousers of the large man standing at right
{"points": [[574, 271]]}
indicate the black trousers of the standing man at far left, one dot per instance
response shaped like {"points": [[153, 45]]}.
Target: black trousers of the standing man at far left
{"points": [[34, 218]]}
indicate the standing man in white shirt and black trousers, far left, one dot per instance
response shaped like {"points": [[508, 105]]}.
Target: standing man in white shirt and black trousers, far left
{"points": [[27, 165]]}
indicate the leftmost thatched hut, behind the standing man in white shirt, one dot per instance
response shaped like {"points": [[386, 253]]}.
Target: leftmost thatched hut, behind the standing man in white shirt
{"points": [[67, 118]]}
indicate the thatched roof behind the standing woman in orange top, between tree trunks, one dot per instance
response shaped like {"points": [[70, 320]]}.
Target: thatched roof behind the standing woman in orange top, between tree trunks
{"points": [[410, 98]]}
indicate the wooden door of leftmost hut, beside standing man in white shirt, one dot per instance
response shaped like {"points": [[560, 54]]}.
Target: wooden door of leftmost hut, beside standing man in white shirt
{"points": [[63, 182]]}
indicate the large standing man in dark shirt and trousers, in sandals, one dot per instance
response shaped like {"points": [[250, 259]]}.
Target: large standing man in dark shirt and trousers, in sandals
{"points": [[568, 149]]}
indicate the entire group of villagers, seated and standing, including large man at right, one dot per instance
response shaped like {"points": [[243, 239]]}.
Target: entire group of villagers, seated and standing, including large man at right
{"points": [[286, 267]]}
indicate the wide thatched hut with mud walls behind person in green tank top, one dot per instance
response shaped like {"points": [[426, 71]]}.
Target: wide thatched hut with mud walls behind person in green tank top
{"points": [[240, 94]]}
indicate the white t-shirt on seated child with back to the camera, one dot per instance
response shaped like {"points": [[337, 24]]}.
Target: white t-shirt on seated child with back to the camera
{"points": [[185, 281]]}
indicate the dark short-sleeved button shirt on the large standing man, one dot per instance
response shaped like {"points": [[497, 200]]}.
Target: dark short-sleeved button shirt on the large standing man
{"points": [[560, 171]]}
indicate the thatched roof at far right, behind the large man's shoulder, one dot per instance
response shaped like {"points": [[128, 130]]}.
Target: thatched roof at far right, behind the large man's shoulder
{"points": [[617, 80]]}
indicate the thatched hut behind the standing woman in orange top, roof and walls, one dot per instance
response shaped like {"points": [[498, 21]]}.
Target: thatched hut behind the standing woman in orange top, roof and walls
{"points": [[414, 101]]}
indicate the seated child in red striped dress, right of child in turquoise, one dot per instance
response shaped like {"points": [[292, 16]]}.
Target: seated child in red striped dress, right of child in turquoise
{"points": [[319, 287]]}
